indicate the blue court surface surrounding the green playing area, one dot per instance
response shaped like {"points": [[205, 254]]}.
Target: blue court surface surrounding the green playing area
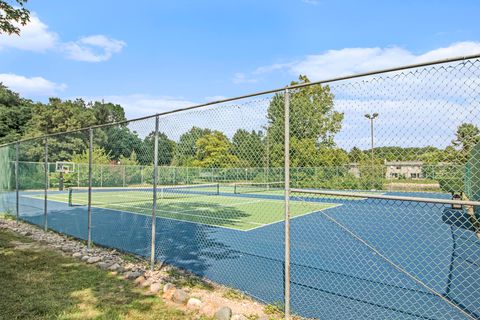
{"points": [[333, 274]]}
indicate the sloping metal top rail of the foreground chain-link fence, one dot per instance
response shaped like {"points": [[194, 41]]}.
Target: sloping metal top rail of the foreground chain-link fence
{"points": [[259, 93]]}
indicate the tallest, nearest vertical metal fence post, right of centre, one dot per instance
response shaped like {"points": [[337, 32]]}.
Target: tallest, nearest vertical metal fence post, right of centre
{"points": [[287, 205]]}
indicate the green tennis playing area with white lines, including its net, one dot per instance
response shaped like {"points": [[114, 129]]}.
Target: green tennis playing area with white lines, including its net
{"points": [[210, 204]]}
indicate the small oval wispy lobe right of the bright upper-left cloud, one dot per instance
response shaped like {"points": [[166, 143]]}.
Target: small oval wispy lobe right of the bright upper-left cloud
{"points": [[95, 48]]}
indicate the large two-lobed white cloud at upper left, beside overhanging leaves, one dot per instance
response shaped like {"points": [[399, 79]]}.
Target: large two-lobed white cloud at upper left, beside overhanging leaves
{"points": [[36, 36]]}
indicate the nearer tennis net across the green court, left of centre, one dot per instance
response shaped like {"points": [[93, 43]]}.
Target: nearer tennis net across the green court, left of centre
{"points": [[114, 195]]}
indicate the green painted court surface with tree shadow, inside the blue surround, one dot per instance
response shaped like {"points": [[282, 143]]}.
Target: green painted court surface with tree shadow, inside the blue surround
{"points": [[228, 211]]}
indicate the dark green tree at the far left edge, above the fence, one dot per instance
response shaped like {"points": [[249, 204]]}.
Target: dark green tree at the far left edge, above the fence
{"points": [[15, 113]]}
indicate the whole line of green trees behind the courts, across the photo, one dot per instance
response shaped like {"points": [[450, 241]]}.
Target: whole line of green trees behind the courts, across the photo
{"points": [[314, 124]]}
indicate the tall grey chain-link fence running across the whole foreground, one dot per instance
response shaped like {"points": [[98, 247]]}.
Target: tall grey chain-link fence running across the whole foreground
{"points": [[354, 198]]}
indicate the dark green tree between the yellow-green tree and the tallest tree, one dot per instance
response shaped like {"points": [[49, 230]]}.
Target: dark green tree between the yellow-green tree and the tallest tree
{"points": [[249, 147]]}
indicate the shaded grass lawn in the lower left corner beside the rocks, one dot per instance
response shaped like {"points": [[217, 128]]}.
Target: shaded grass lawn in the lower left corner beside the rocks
{"points": [[37, 283]]}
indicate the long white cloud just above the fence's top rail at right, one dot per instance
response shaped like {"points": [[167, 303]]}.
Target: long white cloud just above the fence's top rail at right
{"points": [[335, 63]]}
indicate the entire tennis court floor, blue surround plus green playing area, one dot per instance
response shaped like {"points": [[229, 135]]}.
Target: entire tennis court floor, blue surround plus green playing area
{"points": [[322, 275]]}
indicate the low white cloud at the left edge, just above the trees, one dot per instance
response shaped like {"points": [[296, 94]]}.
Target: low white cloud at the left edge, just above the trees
{"points": [[31, 86]]}
